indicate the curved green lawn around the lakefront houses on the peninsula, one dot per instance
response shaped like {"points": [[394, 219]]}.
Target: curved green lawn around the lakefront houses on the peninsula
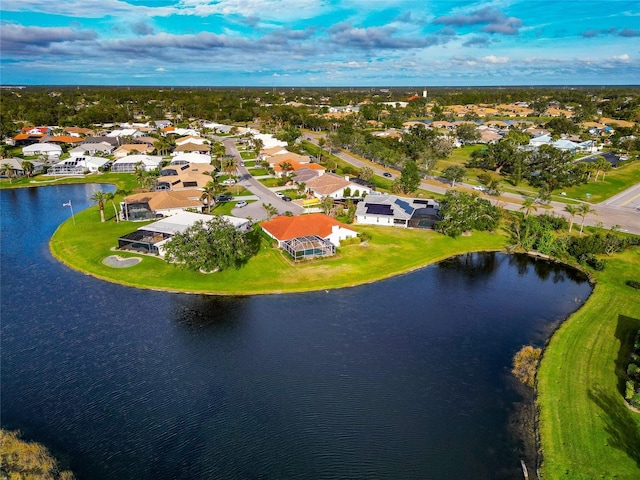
{"points": [[389, 252]]}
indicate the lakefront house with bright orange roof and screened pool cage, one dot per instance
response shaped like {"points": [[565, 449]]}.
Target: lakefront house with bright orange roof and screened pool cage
{"points": [[308, 236]]}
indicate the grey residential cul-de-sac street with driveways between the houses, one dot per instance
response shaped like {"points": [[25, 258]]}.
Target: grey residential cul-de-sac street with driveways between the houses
{"points": [[264, 195]]}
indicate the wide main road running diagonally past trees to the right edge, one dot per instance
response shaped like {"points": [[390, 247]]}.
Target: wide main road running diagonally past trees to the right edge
{"points": [[622, 210]]}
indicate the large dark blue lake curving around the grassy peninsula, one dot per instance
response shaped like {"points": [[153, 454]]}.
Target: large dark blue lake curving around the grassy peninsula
{"points": [[406, 378]]}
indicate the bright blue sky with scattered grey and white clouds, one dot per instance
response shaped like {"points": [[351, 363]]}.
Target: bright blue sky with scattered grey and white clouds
{"points": [[319, 42]]}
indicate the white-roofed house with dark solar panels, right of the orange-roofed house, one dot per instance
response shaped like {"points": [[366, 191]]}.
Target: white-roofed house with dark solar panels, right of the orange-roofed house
{"points": [[390, 210]]}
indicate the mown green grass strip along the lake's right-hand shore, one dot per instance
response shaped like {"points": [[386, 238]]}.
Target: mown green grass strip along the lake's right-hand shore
{"points": [[586, 430]]}
